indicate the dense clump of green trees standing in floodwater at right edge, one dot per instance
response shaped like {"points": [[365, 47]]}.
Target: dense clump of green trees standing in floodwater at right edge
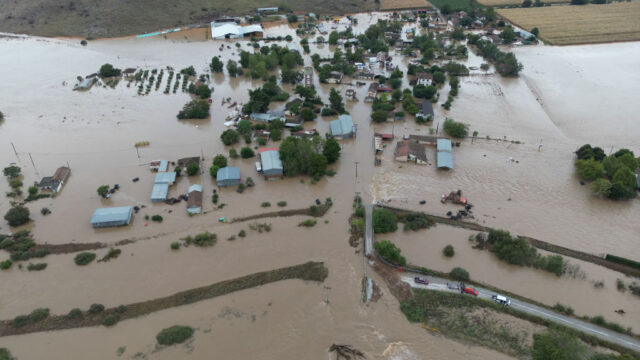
{"points": [[612, 176]]}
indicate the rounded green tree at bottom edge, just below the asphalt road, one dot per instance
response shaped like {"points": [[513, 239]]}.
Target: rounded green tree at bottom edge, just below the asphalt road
{"points": [[557, 345]]}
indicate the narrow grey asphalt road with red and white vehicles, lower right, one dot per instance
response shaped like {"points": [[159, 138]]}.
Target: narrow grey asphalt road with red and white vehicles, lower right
{"points": [[439, 284]]}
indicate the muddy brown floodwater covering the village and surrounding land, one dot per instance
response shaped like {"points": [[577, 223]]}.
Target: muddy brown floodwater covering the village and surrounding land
{"points": [[95, 132]]}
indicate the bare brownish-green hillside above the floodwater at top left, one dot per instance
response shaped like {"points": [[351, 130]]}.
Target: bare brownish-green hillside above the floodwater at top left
{"points": [[113, 18]]}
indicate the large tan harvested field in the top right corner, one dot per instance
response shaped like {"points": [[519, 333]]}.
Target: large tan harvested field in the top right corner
{"points": [[568, 25]]}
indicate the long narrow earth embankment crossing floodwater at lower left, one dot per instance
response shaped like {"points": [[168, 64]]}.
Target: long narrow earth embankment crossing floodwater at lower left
{"points": [[310, 271]]}
